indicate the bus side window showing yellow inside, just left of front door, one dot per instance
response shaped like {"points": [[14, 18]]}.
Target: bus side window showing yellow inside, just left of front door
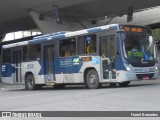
{"points": [[87, 44]]}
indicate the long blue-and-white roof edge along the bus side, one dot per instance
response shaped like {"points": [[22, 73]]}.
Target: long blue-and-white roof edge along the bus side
{"points": [[61, 35]]}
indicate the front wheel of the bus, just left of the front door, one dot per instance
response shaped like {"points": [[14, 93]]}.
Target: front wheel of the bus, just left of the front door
{"points": [[92, 79]]}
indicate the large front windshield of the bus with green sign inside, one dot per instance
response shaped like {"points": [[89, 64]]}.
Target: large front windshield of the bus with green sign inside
{"points": [[139, 48]]}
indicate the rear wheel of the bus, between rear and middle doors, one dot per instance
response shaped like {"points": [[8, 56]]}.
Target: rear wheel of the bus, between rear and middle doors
{"points": [[30, 82]]}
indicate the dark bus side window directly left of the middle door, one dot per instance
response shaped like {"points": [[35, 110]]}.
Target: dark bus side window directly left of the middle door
{"points": [[34, 52]]}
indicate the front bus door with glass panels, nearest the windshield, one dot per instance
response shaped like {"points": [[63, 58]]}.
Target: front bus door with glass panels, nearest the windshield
{"points": [[107, 50]]}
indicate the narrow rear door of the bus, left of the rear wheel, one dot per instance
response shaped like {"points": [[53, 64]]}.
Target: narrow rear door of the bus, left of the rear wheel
{"points": [[17, 63]]}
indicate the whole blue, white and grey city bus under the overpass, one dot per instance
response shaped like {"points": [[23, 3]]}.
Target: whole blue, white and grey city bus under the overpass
{"points": [[110, 54]]}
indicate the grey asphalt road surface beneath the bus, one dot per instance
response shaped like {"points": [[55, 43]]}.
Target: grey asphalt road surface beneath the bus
{"points": [[138, 96]]}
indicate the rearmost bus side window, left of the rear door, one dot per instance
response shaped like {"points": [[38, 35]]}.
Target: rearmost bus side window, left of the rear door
{"points": [[7, 56]]}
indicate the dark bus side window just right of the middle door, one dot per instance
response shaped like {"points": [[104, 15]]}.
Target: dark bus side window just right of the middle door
{"points": [[67, 47]]}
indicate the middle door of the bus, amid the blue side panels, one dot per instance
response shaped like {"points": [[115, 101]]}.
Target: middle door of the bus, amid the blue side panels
{"points": [[49, 63]]}
